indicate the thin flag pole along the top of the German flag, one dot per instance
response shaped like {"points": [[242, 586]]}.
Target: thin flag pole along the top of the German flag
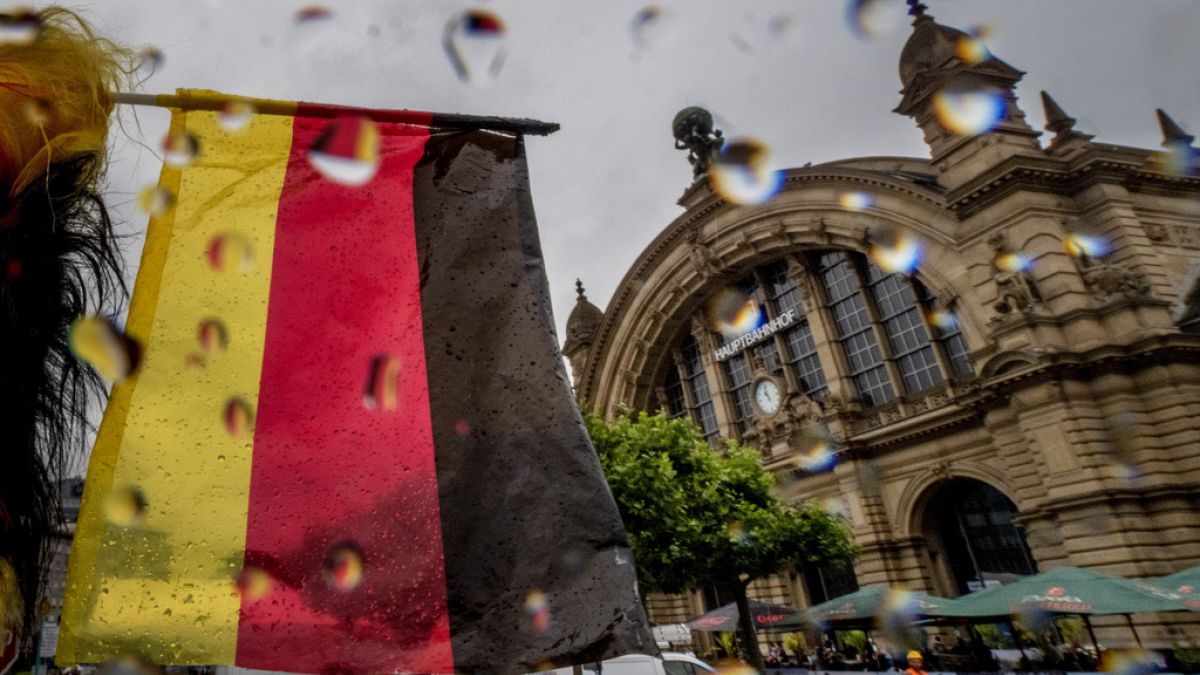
{"points": [[268, 107]]}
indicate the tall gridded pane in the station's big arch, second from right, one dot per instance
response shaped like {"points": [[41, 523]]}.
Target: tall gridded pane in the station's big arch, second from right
{"points": [[905, 328]]}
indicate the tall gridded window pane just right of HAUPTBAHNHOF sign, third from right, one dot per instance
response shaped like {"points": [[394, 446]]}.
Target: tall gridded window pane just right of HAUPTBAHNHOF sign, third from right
{"points": [[854, 325]]}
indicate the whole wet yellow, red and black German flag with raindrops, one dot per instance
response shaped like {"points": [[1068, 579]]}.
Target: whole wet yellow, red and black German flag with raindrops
{"points": [[351, 445]]}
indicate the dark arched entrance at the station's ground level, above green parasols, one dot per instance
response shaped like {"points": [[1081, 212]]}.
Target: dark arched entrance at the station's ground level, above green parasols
{"points": [[971, 536]]}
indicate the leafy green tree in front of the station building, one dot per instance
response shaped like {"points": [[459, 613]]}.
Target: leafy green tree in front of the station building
{"points": [[698, 518]]}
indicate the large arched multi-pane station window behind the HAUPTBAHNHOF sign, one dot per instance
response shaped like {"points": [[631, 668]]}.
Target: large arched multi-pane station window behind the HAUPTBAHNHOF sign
{"points": [[880, 322]]}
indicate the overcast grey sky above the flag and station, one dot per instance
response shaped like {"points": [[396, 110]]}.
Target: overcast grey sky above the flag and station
{"points": [[608, 183]]}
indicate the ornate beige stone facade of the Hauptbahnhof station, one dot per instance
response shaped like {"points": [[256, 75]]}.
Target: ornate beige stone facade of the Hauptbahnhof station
{"points": [[1083, 407]]}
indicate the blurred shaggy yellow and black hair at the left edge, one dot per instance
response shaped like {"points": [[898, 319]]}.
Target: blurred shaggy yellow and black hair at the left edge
{"points": [[58, 262]]}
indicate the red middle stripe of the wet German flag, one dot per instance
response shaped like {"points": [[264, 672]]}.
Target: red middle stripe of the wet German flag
{"points": [[331, 477]]}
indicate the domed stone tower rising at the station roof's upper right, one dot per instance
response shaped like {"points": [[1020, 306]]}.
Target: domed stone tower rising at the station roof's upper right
{"points": [[963, 98]]}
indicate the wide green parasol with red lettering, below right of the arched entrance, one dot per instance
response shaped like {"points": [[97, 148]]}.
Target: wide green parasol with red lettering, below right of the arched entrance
{"points": [[1067, 590]]}
